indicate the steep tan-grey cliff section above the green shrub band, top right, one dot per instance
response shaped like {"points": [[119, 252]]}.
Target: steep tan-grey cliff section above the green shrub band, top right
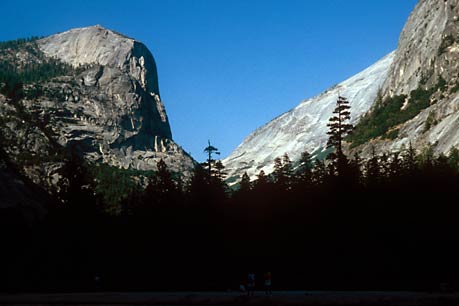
{"points": [[428, 47]]}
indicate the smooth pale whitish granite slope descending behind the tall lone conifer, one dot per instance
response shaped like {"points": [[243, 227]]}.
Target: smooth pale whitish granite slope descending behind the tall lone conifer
{"points": [[304, 128]]}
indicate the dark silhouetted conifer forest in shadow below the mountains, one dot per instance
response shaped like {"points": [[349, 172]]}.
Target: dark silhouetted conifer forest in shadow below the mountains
{"points": [[389, 222]]}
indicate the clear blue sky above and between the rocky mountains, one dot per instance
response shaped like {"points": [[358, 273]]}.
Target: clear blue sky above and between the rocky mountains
{"points": [[228, 67]]}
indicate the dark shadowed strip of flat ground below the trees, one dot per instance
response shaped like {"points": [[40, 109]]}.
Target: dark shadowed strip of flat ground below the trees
{"points": [[233, 298]]}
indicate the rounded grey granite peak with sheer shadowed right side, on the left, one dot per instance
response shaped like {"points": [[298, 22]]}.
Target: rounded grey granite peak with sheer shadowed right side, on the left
{"points": [[118, 115]]}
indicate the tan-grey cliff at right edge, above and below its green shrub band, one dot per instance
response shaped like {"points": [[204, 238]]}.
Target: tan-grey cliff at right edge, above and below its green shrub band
{"points": [[428, 52]]}
